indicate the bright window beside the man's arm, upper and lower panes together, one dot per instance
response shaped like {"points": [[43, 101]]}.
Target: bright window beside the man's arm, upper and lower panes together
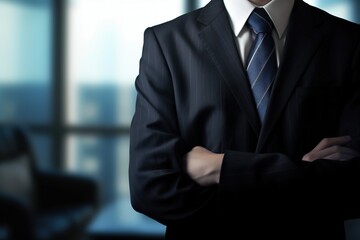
{"points": [[103, 47]]}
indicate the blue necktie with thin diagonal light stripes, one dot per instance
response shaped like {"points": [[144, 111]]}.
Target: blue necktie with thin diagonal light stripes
{"points": [[261, 64]]}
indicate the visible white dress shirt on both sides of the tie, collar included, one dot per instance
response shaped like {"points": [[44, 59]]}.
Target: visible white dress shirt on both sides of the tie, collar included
{"points": [[239, 11]]}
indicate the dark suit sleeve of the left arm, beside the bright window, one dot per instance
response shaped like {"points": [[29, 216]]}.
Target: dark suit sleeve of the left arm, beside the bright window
{"points": [[158, 186]]}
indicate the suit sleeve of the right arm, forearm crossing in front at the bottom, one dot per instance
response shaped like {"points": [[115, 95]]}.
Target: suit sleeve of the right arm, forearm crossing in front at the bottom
{"points": [[320, 185]]}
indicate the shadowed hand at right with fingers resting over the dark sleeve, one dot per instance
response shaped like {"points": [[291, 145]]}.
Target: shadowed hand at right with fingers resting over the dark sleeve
{"points": [[332, 149]]}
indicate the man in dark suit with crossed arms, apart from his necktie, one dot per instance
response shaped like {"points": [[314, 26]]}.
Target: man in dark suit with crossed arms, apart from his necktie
{"points": [[205, 164]]}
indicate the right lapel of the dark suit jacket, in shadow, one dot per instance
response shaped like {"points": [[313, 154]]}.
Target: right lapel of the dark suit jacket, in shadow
{"points": [[304, 37]]}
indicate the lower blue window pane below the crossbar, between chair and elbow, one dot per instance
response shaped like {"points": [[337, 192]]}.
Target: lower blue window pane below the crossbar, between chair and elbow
{"points": [[103, 157]]}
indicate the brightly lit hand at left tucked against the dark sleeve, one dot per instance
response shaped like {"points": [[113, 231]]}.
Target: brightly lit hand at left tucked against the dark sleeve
{"points": [[203, 166]]}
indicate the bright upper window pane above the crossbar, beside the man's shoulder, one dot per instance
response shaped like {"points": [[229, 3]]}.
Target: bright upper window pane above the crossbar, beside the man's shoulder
{"points": [[104, 39]]}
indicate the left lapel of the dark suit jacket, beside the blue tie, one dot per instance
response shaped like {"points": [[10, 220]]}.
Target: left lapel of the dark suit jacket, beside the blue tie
{"points": [[219, 41]]}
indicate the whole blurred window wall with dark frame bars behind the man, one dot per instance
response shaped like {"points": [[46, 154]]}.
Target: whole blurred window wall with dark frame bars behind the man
{"points": [[67, 71]]}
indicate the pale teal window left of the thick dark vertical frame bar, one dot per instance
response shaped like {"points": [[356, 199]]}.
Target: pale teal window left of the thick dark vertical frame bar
{"points": [[26, 68]]}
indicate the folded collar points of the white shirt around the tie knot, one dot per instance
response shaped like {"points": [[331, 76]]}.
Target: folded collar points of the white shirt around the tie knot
{"points": [[278, 10]]}
